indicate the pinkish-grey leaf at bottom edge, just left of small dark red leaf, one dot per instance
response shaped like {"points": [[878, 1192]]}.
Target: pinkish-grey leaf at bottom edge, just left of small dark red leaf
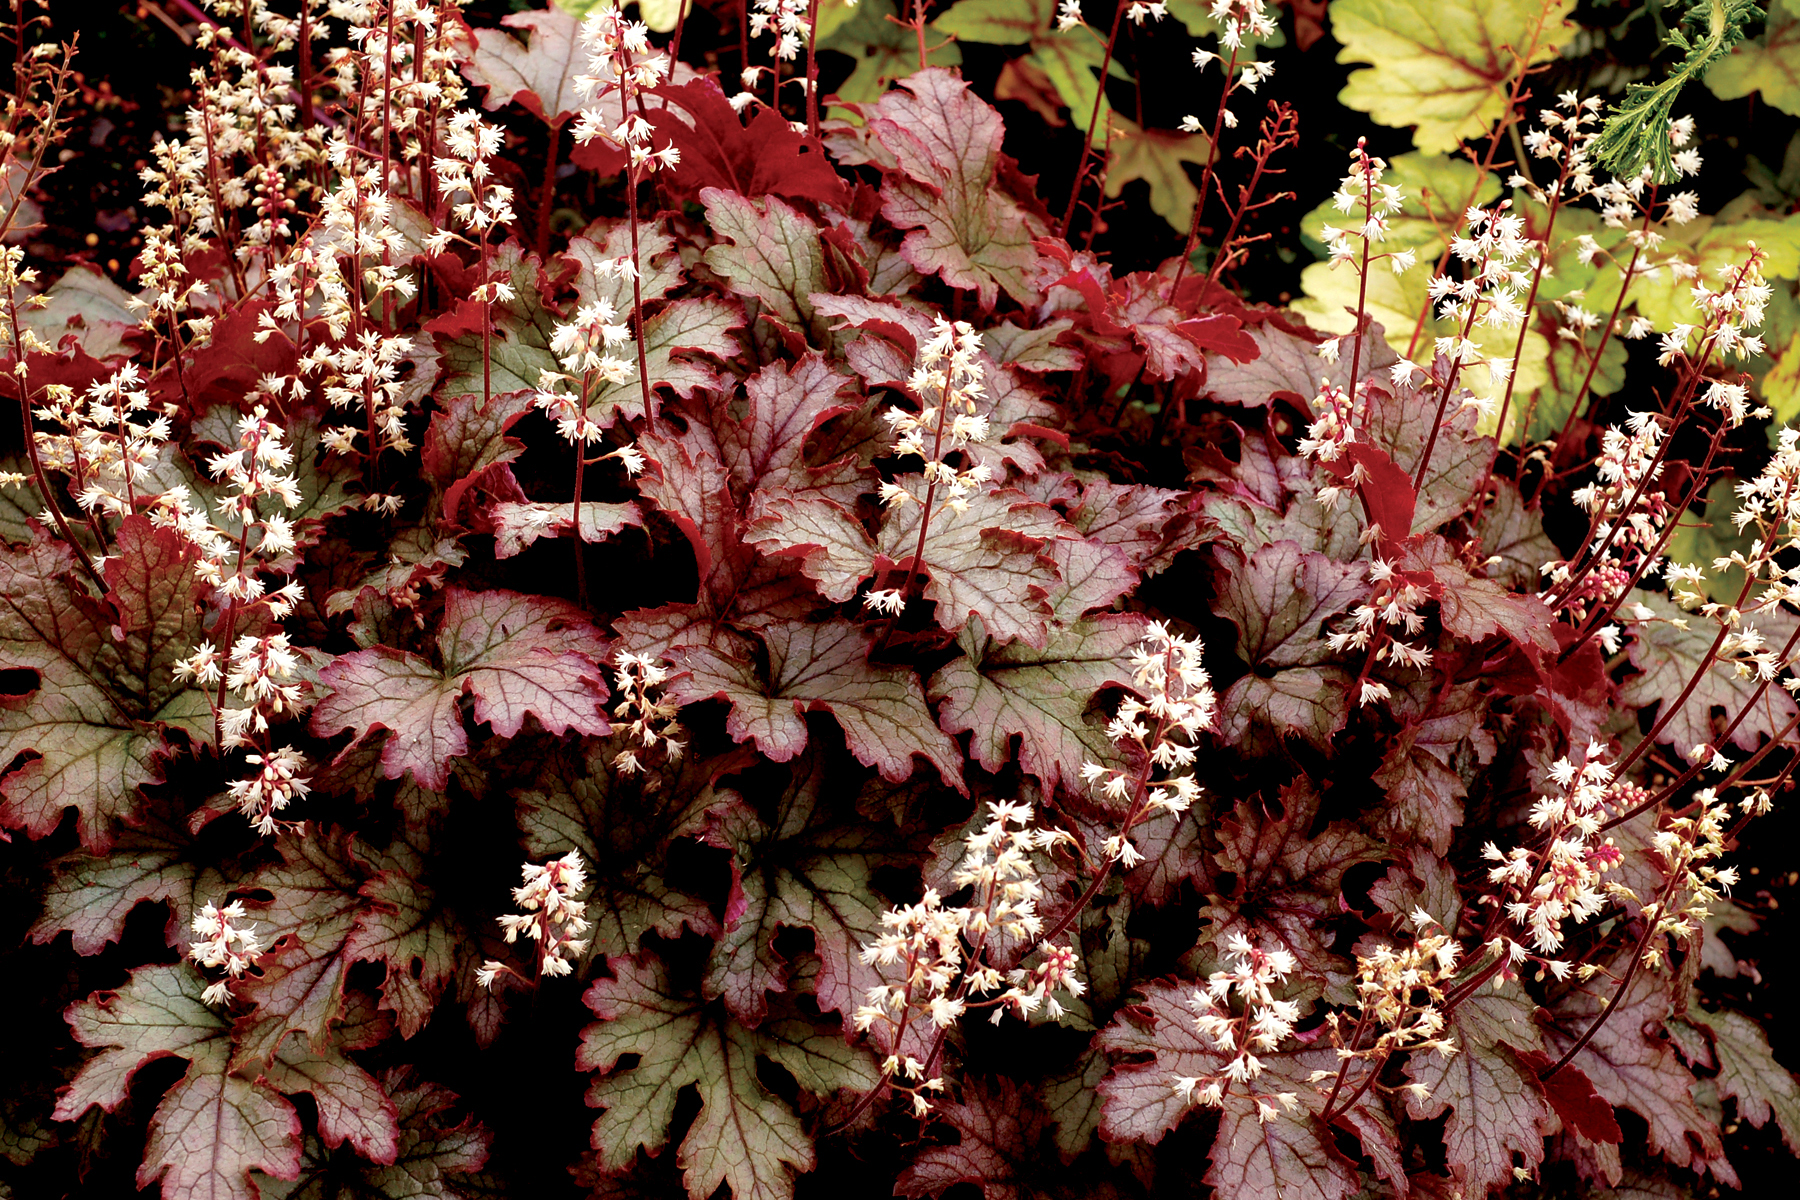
{"points": [[1497, 1106]]}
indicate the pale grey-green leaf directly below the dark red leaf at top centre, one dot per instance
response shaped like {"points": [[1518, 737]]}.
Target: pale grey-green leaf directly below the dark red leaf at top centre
{"points": [[769, 251]]}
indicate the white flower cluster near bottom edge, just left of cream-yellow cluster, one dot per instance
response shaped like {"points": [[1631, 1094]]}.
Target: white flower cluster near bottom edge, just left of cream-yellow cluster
{"points": [[1237, 1012]]}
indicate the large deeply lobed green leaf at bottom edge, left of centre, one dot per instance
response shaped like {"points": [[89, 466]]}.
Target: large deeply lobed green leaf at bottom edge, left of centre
{"points": [[742, 1138]]}
